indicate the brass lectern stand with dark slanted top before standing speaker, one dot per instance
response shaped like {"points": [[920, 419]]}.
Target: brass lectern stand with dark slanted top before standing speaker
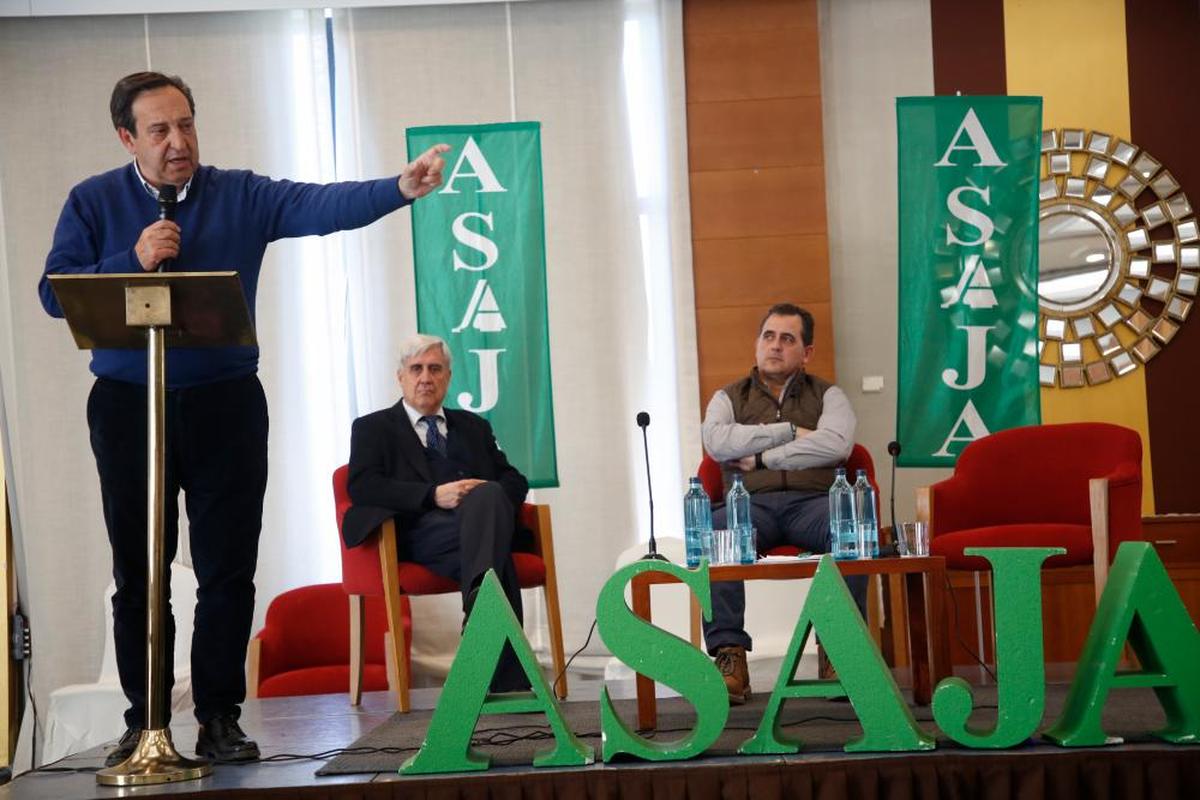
{"points": [[154, 311]]}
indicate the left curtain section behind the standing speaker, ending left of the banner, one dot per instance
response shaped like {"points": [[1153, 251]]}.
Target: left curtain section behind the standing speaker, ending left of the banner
{"points": [[262, 88]]}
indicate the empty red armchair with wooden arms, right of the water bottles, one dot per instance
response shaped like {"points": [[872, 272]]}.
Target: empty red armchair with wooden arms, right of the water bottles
{"points": [[1076, 486]]}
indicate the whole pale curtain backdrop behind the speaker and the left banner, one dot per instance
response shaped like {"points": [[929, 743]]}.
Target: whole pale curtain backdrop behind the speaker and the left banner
{"points": [[604, 77]]}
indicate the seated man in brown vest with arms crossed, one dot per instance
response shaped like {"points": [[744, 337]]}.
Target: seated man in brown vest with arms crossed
{"points": [[785, 431]]}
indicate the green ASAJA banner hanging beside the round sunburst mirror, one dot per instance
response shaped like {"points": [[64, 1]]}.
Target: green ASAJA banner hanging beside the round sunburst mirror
{"points": [[969, 272]]}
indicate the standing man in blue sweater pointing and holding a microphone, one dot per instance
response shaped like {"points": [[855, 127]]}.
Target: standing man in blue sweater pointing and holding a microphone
{"points": [[217, 413]]}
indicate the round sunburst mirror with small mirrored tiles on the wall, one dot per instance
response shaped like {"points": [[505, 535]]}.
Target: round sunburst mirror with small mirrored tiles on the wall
{"points": [[1119, 256]]}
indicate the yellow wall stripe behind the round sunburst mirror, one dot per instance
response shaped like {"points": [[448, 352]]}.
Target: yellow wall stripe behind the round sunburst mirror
{"points": [[1073, 53]]}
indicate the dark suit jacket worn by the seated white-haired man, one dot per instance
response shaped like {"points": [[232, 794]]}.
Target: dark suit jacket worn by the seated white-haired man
{"points": [[389, 473]]}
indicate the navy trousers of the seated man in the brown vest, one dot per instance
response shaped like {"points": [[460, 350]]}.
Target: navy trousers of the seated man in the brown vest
{"points": [[799, 519]]}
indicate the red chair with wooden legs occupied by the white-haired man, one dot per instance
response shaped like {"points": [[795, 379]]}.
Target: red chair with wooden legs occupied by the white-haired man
{"points": [[374, 569]]}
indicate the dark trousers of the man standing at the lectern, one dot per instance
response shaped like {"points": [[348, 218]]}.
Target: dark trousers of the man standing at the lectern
{"points": [[217, 455]]}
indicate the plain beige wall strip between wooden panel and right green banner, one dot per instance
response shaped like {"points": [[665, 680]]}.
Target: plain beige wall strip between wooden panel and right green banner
{"points": [[872, 53]]}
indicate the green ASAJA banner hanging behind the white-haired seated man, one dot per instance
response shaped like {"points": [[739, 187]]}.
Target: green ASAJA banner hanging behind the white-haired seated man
{"points": [[479, 245]]}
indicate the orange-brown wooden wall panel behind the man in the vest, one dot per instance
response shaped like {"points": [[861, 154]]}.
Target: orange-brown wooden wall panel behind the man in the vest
{"points": [[757, 169]]}
